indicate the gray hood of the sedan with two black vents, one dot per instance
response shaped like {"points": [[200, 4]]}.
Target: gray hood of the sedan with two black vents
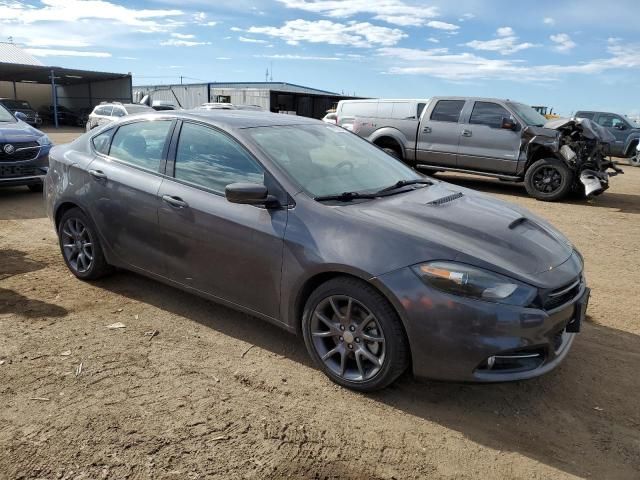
{"points": [[468, 227]]}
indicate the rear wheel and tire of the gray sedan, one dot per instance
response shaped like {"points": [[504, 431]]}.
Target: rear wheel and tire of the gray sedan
{"points": [[80, 246]]}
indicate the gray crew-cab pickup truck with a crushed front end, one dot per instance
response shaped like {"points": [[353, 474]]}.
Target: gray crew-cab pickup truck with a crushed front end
{"points": [[491, 137]]}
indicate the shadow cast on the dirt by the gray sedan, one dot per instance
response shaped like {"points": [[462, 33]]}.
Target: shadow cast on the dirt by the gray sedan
{"points": [[579, 418]]}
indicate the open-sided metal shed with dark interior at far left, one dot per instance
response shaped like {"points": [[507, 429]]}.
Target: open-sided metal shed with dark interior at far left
{"points": [[24, 77]]}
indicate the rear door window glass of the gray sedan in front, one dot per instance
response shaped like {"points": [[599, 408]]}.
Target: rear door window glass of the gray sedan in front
{"points": [[141, 143]]}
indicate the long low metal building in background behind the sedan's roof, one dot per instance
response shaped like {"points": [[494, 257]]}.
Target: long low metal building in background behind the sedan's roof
{"points": [[272, 96]]}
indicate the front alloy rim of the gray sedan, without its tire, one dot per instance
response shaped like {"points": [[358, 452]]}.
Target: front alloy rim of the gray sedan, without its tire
{"points": [[348, 338]]}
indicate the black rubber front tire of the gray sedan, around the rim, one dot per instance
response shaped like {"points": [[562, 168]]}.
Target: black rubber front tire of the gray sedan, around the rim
{"points": [[396, 356]]}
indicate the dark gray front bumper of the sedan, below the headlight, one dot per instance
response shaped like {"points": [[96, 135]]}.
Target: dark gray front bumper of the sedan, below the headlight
{"points": [[459, 339]]}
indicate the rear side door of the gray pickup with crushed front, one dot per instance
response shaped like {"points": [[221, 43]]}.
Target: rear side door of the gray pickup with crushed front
{"points": [[439, 132]]}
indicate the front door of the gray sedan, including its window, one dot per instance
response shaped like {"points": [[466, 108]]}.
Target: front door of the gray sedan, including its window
{"points": [[228, 250]]}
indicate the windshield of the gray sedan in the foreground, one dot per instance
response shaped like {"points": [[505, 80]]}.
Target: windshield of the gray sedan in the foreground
{"points": [[328, 160]]}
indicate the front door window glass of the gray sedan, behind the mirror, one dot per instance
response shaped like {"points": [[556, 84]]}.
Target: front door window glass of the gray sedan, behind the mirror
{"points": [[208, 158]]}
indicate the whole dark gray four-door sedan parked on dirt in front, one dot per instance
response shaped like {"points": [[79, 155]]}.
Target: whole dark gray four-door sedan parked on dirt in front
{"points": [[316, 230]]}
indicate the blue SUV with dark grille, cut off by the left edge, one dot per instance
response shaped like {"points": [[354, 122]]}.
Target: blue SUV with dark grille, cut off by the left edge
{"points": [[24, 152]]}
